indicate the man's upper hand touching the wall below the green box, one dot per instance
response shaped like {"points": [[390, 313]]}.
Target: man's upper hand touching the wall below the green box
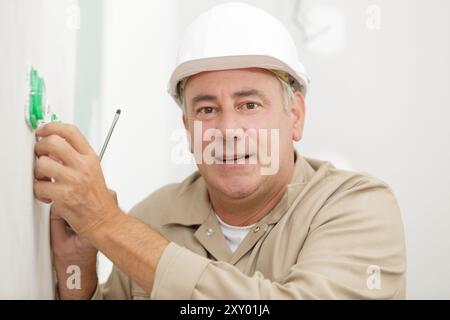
{"points": [[77, 187]]}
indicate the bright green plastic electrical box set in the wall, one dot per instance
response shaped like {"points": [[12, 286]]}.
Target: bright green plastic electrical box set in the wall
{"points": [[37, 109]]}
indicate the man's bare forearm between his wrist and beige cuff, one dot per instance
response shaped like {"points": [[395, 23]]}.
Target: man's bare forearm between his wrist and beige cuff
{"points": [[133, 246]]}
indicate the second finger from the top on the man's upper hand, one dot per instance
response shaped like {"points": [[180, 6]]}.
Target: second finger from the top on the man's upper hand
{"points": [[58, 147]]}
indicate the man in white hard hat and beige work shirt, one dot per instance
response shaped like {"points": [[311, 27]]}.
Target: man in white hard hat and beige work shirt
{"points": [[259, 222]]}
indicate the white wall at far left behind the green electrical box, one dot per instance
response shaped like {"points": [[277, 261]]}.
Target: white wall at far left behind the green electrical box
{"points": [[31, 32]]}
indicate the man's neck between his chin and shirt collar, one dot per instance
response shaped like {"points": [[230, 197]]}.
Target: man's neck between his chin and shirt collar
{"points": [[250, 209]]}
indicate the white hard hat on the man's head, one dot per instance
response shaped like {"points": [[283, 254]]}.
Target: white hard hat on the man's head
{"points": [[234, 36]]}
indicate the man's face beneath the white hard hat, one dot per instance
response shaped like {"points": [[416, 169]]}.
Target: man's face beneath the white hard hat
{"points": [[245, 109]]}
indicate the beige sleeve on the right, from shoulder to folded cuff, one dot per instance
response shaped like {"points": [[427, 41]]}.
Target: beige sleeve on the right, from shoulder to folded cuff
{"points": [[354, 250]]}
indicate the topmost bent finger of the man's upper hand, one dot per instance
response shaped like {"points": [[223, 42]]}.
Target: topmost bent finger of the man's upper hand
{"points": [[69, 132]]}
